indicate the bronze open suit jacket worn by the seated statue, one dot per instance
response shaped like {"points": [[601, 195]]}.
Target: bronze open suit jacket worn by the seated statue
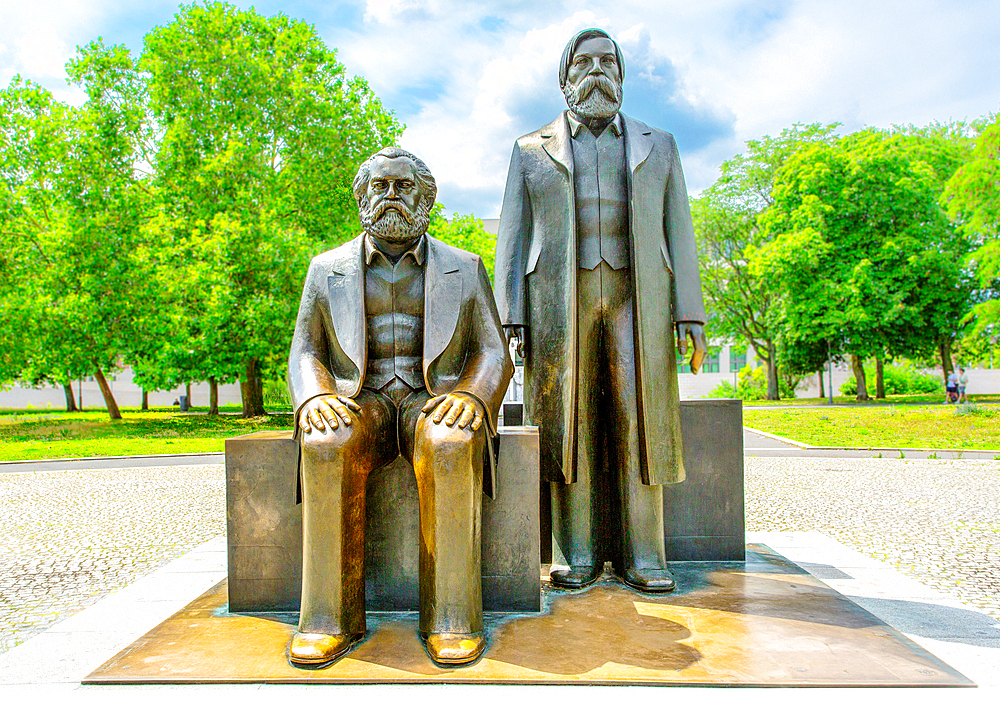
{"points": [[464, 347]]}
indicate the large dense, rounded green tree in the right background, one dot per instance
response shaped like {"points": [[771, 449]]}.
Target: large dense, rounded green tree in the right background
{"points": [[863, 251]]}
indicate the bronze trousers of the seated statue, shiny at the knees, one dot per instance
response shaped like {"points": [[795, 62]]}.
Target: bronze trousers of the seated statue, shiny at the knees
{"points": [[448, 463]]}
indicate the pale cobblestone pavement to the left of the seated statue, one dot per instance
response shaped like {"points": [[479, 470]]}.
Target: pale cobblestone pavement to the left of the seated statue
{"points": [[68, 538]]}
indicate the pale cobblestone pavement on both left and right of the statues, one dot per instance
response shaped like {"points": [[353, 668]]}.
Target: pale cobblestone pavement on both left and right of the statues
{"points": [[68, 538]]}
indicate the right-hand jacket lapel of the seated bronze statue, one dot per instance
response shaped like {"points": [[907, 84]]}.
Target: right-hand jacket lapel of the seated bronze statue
{"points": [[442, 300]]}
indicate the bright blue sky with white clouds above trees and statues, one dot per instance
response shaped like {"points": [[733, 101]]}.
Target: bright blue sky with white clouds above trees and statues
{"points": [[468, 78]]}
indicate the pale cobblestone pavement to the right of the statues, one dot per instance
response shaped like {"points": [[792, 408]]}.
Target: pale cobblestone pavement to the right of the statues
{"points": [[936, 521]]}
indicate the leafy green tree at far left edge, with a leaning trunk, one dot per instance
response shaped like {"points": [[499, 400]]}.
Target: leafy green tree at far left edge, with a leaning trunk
{"points": [[73, 205]]}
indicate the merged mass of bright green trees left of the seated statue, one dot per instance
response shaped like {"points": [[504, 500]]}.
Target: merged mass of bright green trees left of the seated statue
{"points": [[168, 222]]}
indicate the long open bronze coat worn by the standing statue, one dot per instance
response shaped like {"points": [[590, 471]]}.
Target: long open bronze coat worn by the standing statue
{"points": [[535, 280]]}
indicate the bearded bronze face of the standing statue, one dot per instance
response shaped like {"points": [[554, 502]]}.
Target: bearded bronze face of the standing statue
{"points": [[593, 88]]}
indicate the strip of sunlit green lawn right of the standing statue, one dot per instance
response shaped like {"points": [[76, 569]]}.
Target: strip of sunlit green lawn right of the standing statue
{"points": [[944, 427]]}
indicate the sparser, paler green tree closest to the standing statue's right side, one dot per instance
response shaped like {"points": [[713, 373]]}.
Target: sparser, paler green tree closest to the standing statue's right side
{"points": [[742, 303]]}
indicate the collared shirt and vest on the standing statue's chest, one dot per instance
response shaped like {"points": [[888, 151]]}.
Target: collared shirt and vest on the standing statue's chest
{"points": [[601, 182]]}
